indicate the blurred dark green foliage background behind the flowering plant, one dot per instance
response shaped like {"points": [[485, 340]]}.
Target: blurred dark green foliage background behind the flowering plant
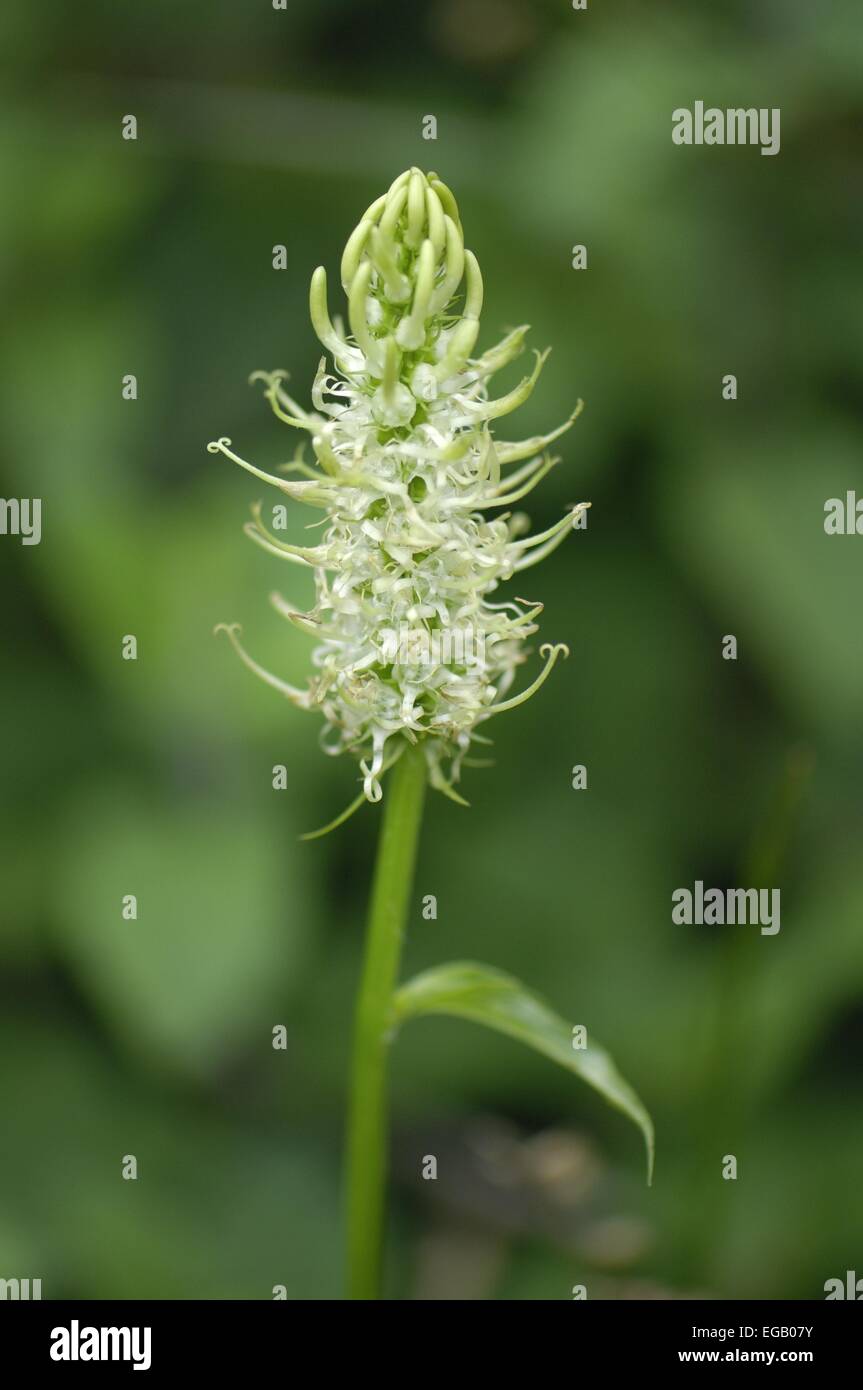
{"points": [[154, 1038]]}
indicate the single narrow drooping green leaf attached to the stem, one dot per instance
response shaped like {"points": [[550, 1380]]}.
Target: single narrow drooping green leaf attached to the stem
{"points": [[483, 995]]}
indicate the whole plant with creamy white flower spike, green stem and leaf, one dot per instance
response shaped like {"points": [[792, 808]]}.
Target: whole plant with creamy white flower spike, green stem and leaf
{"points": [[415, 651]]}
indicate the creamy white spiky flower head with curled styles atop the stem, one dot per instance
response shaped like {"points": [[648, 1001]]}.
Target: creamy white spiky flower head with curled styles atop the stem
{"points": [[420, 529]]}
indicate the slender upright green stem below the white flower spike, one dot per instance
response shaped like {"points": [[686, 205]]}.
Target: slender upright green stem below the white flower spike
{"points": [[368, 1128]]}
